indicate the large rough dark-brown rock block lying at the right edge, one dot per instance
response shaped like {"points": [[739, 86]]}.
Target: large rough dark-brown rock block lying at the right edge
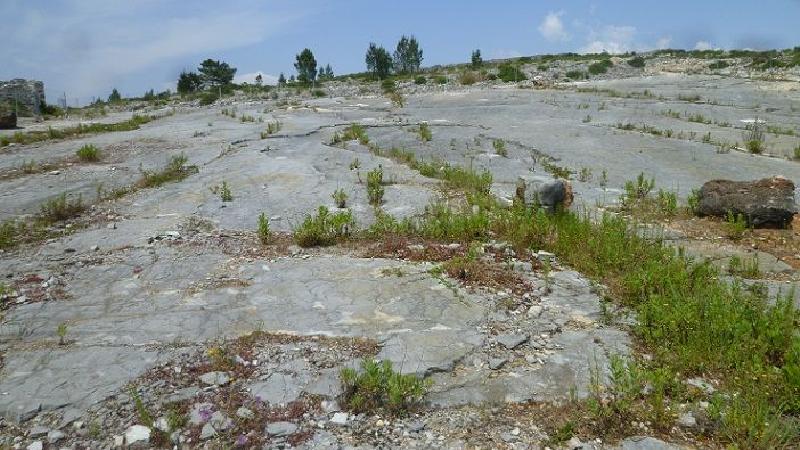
{"points": [[764, 203]]}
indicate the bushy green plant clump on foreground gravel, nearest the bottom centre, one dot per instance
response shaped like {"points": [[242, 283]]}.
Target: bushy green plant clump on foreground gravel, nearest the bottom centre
{"points": [[379, 388]]}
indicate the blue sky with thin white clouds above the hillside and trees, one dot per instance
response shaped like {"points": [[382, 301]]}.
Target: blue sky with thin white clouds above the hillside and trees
{"points": [[87, 47]]}
